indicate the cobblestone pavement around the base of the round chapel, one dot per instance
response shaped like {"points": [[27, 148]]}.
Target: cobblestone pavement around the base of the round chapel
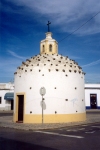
{"points": [[6, 121]]}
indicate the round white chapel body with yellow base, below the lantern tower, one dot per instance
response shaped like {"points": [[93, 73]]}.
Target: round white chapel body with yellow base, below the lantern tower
{"points": [[63, 80]]}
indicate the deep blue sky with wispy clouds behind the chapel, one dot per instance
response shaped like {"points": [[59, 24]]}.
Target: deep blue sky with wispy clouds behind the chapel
{"points": [[75, 25]]}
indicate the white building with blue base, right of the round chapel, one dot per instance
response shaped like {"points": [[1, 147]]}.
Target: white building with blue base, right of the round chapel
{"points": [[92, 96]]}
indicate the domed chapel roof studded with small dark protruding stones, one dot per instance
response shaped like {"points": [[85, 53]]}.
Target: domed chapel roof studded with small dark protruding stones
{"points": [[51, 62]]}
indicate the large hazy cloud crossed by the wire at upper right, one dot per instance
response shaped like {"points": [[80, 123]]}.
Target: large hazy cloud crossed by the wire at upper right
{"points": [[67, 15]]}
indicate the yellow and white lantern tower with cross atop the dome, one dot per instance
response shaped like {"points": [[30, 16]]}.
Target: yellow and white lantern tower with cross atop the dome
{"points": [[49, 45]]}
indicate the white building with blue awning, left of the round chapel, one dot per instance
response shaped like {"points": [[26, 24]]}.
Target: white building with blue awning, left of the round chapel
{"points": [[6, 96]]}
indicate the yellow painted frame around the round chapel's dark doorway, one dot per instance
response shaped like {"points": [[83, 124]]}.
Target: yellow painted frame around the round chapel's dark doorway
{"points": [[15, 116]]}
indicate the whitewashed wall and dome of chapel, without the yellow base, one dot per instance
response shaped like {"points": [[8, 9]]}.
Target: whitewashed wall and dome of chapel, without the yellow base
{"points": [[55, 99]]}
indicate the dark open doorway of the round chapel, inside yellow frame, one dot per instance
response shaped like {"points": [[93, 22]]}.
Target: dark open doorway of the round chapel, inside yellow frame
{"points": [[20, 107]]}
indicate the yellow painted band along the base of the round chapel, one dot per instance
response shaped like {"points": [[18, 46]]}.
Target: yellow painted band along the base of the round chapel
{"points": [[56, 118]]}
